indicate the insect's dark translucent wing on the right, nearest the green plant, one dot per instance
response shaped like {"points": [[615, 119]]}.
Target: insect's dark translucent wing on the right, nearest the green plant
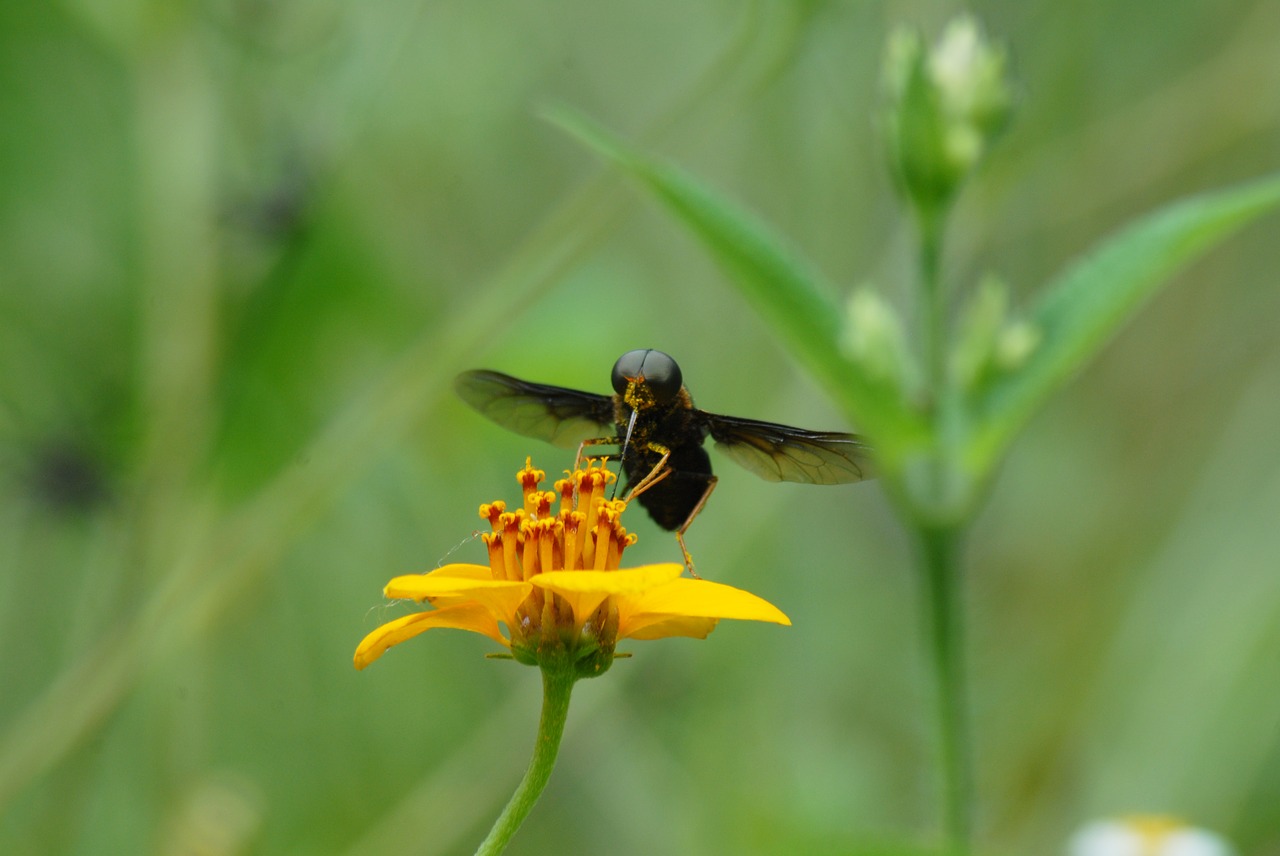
{"points": [[784, 454]]}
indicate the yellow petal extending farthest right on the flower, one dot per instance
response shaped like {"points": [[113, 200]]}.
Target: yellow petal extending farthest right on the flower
{"points": [[687, 598]]}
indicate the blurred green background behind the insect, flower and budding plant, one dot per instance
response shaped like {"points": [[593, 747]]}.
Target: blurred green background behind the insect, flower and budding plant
{"points": [[246, 245]]}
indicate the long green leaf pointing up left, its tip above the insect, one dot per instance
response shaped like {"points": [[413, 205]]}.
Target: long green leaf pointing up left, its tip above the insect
{"points": [[775, 280]]}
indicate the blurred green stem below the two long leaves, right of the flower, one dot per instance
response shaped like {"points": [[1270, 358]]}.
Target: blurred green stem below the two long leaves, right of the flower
{"points": [[939, 557]]}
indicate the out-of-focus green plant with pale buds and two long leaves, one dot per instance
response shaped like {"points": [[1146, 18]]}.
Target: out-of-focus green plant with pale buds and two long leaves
{"points": [[941, 410]]}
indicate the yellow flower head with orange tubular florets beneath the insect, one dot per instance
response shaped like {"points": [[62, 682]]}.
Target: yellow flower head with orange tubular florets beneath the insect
{"points": [[554, 580]]}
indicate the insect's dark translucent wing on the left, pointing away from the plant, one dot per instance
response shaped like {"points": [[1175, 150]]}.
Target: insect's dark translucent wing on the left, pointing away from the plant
{"points": [[555, 414]]}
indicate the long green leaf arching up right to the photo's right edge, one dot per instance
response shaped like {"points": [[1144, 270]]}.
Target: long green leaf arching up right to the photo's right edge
{"points": [[1085, 306]]}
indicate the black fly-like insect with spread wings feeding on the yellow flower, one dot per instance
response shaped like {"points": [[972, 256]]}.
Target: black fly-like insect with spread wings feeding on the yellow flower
{"points": [[660, 433]]}
